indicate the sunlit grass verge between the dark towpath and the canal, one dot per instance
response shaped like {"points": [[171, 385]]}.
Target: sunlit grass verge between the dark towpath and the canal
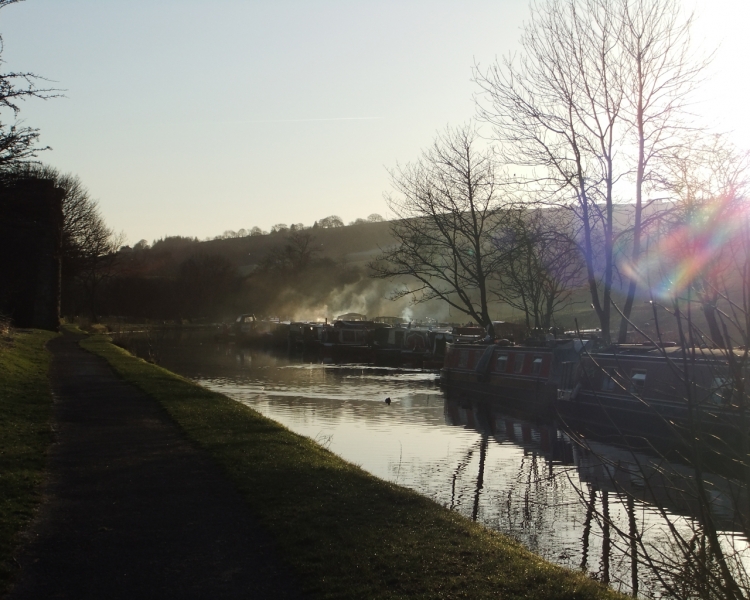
{"points": [[346, 533]]}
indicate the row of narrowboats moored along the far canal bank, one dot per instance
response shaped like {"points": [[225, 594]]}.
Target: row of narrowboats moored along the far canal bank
{"points": [[644, 393]]}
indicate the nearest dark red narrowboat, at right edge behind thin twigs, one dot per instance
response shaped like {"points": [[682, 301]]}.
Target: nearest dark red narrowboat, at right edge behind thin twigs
{"points": [[652, 395]]}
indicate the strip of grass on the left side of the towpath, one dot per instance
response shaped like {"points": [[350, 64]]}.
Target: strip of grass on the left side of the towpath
{"points": [[25, 435]]}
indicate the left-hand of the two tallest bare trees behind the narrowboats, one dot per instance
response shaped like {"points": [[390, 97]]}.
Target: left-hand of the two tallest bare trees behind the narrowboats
{"points": [[558, 108]]}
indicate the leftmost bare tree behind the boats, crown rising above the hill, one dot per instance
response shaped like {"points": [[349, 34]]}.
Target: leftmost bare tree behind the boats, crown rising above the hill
{"points": [[447, 208]]}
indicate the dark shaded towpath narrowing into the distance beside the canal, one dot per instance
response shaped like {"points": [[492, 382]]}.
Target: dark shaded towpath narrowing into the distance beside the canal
{"points": [[133, 510]]}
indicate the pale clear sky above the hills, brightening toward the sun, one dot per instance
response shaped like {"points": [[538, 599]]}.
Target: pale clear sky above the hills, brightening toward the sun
{"points": [[192, 118]]}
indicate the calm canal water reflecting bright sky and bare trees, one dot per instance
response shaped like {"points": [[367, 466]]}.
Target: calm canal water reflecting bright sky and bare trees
{"points": [[625, 519]]}
